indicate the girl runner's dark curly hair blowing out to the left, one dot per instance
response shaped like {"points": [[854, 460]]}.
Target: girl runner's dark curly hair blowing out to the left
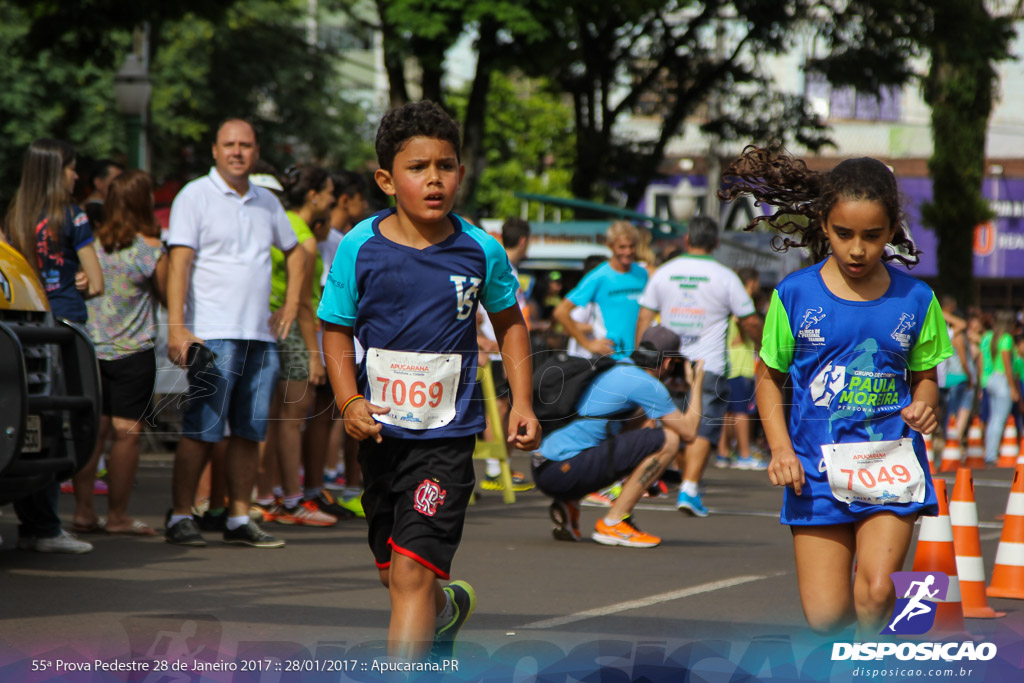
{"points": [[803, 199]]}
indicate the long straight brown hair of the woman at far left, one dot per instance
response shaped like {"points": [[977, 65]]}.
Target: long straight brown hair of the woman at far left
{"points": [[41, 196]]}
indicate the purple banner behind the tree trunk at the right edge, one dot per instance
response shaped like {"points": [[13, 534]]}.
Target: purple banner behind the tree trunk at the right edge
{"points": [[999, 245]]}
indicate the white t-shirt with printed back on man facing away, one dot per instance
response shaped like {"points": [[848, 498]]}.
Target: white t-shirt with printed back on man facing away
{"points": [[696, 296]]}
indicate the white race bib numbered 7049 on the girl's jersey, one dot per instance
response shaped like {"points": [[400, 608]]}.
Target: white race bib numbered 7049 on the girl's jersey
{"points": [[875, 473]]}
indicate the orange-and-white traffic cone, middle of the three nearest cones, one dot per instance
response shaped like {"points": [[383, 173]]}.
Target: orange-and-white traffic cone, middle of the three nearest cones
{"points": [[967, 543]]}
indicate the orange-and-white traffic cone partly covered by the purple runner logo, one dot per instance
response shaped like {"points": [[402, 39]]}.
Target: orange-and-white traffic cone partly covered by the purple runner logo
{"points": [[935, 553]]}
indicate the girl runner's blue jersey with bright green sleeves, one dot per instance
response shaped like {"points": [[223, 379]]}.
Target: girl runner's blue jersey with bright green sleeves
{"points": [[850, 366]]}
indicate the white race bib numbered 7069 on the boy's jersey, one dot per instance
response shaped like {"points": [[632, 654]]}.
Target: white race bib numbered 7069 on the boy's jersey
{"points": [[420, 389]]}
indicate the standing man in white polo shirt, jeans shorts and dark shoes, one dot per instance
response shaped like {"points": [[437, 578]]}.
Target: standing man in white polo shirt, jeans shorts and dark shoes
{"points": [[220, 296]]}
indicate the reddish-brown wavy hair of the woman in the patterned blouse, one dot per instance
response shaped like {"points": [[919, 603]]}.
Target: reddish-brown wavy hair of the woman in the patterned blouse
{"points": [[127, 211]]}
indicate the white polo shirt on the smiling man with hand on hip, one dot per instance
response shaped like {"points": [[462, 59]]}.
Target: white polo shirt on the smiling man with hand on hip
{"points": [[229, 295]]}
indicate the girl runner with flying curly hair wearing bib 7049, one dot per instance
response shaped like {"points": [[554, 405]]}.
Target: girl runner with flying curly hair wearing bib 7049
{"points": [[858, 340]]}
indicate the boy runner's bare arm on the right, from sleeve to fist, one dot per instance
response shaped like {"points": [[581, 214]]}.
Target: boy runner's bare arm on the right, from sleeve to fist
{"points": [[514, 339]]}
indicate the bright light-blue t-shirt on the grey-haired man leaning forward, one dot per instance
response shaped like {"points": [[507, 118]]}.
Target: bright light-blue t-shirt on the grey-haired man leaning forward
{"points": [[618, 295]]}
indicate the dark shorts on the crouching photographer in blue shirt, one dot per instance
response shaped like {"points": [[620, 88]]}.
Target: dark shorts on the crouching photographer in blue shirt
{"points": [[599, 467]]}
